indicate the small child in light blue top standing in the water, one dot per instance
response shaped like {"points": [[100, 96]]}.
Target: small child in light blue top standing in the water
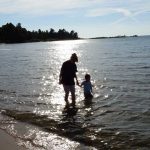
{"points": [[87, 86]]}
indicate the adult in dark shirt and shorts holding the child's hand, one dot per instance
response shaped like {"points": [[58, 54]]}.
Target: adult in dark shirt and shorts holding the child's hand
{"points": [[66, 77]]}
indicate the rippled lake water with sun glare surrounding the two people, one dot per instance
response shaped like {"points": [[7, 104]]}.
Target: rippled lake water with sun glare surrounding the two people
{"points": [[117, 118]]}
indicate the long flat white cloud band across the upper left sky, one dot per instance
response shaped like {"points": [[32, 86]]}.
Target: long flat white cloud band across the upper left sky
{"points": [[40, 6]]}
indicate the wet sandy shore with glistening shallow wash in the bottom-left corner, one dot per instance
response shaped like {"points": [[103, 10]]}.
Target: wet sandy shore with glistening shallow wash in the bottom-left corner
{"points": [[16, 135]]}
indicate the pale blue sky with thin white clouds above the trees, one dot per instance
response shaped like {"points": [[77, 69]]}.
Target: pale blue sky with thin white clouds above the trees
{"points": [[90, 18]]}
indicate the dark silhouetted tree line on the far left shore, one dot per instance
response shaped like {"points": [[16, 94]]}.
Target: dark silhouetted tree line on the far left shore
{"points": [[16, 34]]}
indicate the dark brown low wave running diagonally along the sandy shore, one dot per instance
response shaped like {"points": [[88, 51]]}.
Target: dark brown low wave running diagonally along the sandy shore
{"points": [[103, 138]]}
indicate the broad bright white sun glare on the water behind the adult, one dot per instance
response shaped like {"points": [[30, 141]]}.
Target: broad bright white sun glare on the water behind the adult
{"points": [[52, 93]]}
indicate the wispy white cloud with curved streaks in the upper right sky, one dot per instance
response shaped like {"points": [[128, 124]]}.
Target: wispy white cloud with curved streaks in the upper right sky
{"points": [[128, 9]]}
